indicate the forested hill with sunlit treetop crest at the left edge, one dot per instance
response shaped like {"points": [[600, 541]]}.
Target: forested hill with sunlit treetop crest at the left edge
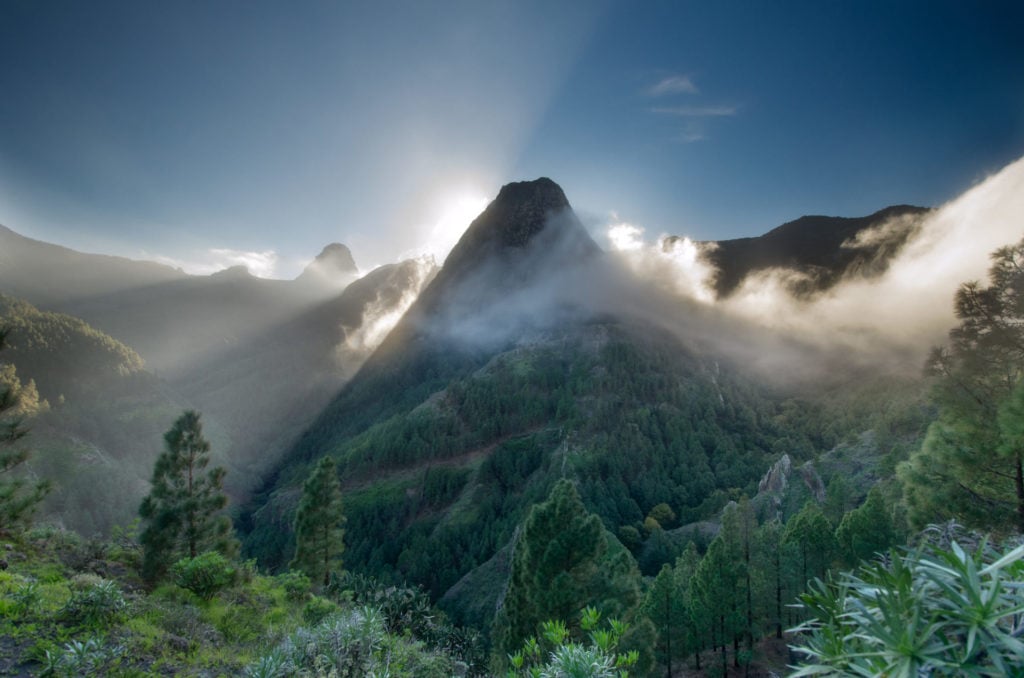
{"points": [[96, 434]]}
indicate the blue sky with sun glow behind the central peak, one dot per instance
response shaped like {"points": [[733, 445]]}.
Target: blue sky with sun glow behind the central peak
{"points": [[215, 133]]}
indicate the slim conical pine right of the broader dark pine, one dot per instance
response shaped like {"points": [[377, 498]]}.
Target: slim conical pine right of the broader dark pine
{"points": [[319, 532]]}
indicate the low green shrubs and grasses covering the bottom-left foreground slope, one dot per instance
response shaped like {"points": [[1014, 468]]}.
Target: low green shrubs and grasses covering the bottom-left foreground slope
{"points": [[76, 608]]}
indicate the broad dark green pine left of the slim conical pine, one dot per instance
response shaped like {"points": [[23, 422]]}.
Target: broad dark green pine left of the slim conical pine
{"points": [[183, 508]]}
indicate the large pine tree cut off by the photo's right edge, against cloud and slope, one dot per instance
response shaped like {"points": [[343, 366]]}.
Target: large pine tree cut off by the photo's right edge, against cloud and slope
{"points": [[971, 467]]}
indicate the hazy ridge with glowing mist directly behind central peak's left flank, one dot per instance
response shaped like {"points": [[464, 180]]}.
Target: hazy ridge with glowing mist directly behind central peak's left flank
{"points": [[295, 368]]}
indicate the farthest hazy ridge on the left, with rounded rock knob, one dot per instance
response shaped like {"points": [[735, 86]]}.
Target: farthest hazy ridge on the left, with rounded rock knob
{"points": [[174, 320]]}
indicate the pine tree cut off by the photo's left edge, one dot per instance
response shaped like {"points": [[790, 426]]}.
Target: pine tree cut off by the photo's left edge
{"points": [[19, 498]]}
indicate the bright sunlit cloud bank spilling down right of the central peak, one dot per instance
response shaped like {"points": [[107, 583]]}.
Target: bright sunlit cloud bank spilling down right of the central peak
{"points": [[890, 320]]}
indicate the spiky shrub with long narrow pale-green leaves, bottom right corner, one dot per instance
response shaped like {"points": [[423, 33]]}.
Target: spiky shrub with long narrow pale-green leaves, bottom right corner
{"points": [[929, 612]]}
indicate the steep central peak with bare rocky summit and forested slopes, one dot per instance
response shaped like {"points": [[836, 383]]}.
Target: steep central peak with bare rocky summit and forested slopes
{"points": [[447, 437]]}
